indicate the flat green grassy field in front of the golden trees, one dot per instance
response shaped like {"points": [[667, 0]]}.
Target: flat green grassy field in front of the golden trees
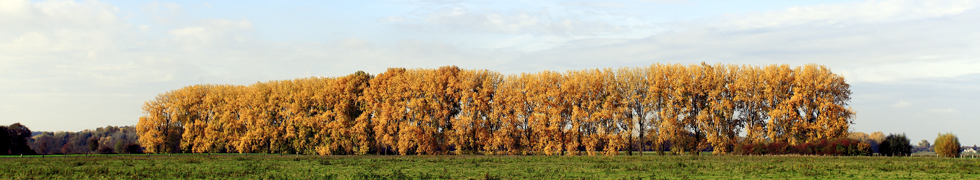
{"points": [[483, 167]]}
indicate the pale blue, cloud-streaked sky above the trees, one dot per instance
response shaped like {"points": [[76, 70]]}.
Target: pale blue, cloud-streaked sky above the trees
{"points": [[913, 66]]}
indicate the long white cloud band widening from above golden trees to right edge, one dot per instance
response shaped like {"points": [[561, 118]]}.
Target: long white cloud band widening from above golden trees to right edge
{"points": [[910, 40]]}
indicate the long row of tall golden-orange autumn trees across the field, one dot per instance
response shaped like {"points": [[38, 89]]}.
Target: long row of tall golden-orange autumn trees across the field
{"points": [[452, 110]]}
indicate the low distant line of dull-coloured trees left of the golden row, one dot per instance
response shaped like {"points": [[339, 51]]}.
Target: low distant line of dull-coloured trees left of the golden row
{"points": [[109, 139]]}
